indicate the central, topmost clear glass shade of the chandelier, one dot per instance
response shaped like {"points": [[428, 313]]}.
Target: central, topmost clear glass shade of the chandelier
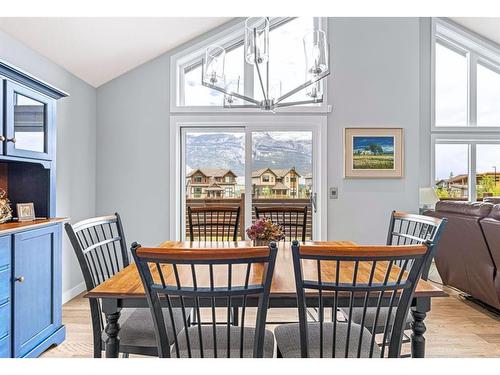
{"points": [[256, 40]]}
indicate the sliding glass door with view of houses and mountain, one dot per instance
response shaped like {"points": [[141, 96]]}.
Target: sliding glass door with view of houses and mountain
{"points": [[250, 165]]}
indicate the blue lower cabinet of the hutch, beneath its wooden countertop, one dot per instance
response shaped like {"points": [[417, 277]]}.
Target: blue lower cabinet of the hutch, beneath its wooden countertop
{"points": [[34, 282]]}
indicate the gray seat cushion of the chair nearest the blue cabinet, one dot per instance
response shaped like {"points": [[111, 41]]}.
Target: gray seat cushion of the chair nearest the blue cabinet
{"points": [[137, 330]]}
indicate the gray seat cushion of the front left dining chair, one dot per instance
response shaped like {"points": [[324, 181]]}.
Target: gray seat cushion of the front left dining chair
{"points": [[221, 335]]}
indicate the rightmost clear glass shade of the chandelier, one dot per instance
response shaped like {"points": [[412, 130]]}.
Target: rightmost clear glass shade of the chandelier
{"points": [[316, 52]]}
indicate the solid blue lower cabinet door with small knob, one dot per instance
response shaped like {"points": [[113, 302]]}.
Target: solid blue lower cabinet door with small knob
{"points": [[37, 287]]}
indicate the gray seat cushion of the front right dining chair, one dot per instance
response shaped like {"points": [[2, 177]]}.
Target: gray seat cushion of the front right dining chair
{"points": [[288, 339]]}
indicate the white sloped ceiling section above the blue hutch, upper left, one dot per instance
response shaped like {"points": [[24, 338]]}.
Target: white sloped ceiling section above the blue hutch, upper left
{"points": [[100, 49]]}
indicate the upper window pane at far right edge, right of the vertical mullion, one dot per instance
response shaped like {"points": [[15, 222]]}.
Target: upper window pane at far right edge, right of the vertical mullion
{"points": [[488, 96]]}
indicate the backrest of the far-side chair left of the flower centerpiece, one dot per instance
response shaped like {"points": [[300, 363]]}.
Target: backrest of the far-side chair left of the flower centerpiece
{"points": [[213, 223]]}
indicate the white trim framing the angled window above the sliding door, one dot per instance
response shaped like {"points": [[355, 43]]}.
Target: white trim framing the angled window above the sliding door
{"points": [[227, 37]]}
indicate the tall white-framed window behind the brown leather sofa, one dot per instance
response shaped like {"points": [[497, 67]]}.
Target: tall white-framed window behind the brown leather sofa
{"points": [[466, 126]]}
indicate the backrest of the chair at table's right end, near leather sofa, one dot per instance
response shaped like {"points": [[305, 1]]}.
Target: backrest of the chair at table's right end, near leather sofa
{"points": [[410, 229]]}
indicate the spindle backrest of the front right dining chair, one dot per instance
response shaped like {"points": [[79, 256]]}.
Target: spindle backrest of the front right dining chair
{"points": [[366, 277]]}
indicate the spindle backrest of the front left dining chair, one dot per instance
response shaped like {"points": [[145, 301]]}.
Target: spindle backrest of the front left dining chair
{"points": [[206, 277]]}
